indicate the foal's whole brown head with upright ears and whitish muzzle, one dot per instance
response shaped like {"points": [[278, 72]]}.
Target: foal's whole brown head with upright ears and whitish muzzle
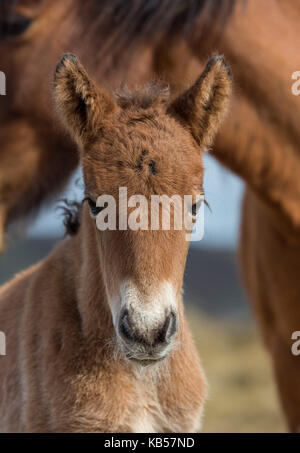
{"points": [[152, 146]]}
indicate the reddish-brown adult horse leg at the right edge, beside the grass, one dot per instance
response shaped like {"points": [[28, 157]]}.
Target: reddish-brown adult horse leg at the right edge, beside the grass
{"points": [[270, 267]]}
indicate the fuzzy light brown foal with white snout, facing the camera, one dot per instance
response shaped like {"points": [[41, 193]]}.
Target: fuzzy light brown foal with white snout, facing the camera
{"points": [[96, 336]]}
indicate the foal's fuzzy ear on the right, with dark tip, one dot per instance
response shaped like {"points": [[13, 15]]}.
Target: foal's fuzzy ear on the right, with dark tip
{"points": [[203, 106]]}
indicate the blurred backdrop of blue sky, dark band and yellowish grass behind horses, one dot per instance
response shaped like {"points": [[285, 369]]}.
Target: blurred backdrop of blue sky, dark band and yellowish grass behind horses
{"points": [[242, 395]]}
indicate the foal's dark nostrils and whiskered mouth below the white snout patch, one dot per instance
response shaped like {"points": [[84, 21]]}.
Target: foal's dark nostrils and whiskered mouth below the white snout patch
{"points": [[144, 344]]}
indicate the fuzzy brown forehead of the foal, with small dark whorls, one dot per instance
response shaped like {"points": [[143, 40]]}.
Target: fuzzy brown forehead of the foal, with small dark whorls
{"points": [[147, 151]]}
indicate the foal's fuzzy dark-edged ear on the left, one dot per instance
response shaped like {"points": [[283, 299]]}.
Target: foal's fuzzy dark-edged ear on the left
{"points": [[81, 103]]}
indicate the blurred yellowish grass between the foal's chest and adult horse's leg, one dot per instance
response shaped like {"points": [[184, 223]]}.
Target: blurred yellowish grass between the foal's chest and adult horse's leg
{"points": [[242, 394]]}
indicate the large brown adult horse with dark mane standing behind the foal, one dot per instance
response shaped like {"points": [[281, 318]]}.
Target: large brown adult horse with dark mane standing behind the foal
{"points": [[259, 141]]}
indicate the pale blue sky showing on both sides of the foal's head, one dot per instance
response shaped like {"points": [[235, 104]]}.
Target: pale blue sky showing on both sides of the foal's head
{"points": [[223, 192]]}
